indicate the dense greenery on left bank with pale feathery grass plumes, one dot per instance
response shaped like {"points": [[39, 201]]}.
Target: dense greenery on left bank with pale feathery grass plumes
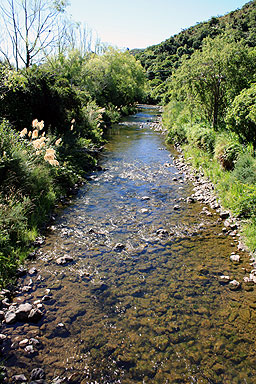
{"points": [[53, 118]]}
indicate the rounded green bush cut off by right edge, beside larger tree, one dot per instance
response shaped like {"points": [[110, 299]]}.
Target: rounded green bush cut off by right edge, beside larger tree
{"points": [[241, 117]]}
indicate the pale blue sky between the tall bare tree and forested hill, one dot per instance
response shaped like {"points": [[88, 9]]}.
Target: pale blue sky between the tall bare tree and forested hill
{"points": [[141, 23]]}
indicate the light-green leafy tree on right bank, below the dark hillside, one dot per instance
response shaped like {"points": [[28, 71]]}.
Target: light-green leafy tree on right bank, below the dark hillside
{"points": [[210, 79]]}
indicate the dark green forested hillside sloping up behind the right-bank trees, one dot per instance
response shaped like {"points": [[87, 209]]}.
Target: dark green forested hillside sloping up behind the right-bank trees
{"points": [[159, 60]]}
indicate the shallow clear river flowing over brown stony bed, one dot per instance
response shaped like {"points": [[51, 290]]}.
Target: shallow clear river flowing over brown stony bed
{"points": [[142, 301]]}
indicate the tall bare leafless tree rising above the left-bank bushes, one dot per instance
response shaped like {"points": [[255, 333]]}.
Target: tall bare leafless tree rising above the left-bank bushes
{"points": [[31, 28]]}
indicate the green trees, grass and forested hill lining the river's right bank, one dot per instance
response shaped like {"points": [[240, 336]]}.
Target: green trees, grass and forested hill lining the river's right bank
{"points": [[206, 78]]}
